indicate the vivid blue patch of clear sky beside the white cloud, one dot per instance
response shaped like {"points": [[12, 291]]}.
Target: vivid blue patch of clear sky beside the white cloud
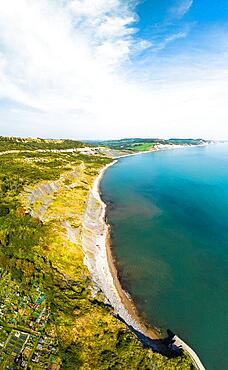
{"points": [[193, 27]]}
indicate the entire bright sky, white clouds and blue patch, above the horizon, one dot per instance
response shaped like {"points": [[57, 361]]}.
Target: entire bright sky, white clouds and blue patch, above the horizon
{"points": [[103, 69]]}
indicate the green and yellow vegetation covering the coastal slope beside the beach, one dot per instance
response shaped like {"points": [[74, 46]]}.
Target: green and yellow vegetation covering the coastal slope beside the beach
{"points": [[49, 291]]}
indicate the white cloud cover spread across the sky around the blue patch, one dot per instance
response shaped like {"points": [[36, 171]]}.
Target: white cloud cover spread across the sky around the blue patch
{"points": [[67, 64]]}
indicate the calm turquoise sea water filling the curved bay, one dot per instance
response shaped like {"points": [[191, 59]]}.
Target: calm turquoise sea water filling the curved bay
{"points": [[169, 216]]}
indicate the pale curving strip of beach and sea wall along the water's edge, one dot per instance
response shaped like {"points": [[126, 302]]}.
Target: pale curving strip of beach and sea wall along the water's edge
{"points": [[100, 262]]}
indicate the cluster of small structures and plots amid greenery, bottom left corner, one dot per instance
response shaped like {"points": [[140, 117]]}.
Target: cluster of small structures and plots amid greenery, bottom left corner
{"points": [[26, 338]]}
